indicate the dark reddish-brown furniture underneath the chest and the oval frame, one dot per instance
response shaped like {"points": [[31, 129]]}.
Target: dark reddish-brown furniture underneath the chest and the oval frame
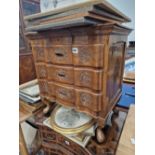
{"points": [[56, 143]]}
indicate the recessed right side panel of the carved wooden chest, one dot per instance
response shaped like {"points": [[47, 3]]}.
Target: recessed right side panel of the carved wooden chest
{"points": [[115, 68]]}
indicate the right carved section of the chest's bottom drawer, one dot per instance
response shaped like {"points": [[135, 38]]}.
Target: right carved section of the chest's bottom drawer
{"points": [[88, 100]]}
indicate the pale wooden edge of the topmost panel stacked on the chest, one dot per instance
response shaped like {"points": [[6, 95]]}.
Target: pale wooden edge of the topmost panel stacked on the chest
{"points": [[104, 4]]}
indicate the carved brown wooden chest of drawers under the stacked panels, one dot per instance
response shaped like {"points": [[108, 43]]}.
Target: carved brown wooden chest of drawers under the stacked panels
{"points": [[81, 67]]}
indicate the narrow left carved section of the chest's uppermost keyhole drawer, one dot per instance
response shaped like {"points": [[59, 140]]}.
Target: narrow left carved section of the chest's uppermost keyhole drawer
{"points": [[38, 53]]}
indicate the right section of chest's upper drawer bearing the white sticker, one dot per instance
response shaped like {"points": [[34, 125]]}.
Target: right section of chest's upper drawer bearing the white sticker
{"points": [[87, 55]]}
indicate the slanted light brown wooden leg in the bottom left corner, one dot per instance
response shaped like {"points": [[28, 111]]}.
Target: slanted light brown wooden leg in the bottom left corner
{"points": [[22, 144]]}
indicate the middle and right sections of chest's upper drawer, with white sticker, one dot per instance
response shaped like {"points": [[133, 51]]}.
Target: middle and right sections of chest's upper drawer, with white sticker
{"points": [[77, 55]]}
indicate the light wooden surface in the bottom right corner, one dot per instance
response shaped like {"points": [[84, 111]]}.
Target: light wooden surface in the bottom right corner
{"points": [[125, 147]]}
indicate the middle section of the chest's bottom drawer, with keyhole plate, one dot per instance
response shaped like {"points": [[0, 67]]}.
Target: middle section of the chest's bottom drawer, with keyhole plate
{"points": [[65, 94]]}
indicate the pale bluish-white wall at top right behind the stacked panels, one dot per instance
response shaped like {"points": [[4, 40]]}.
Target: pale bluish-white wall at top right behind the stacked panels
{"points": [[128, 8]]}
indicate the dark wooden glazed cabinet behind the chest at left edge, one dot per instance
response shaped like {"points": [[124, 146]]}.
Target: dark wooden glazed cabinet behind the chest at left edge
{"points": [[26, 63]]}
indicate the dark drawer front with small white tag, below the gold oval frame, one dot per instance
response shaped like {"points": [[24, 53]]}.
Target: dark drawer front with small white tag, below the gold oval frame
{"points": [[55, 143]]}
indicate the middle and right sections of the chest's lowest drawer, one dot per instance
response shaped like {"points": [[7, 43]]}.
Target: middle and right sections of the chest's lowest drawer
{"points": [[70, 96]]}
